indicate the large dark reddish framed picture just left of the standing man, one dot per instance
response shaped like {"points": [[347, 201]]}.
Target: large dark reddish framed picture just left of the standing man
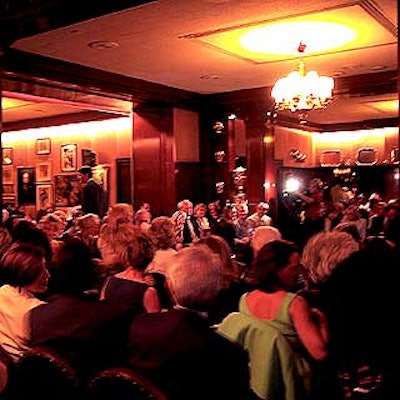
{"points": [[67, 190]]}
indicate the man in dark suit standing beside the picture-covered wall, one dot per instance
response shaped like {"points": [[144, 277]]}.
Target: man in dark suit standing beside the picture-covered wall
{"points": [[93, 196]]}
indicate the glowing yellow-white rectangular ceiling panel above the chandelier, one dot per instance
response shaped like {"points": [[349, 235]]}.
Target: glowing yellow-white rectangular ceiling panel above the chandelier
{"points": [[367, 33]]}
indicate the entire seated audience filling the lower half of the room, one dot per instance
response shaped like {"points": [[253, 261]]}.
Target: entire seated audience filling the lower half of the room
{"points": [[210, 302]]}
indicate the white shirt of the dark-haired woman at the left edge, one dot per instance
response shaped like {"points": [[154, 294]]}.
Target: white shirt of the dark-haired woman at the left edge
{"points": [[15, 304]]}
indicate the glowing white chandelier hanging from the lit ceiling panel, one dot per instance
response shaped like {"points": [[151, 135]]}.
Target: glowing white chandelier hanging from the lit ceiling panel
{"points": [[302, 91]]}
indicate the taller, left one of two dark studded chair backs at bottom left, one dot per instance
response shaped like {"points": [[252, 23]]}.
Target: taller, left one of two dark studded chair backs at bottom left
{"points": [[45, 373]]}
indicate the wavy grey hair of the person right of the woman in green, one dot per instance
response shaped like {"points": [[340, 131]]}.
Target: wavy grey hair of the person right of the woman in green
{"points": [[324, 251]]}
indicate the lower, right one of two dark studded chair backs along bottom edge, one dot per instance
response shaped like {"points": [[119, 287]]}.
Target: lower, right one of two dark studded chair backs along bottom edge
{"points": [[122, 383]]}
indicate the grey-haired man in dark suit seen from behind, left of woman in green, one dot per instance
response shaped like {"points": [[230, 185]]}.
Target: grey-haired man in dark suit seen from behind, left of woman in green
{"points": [[177, 348]]}
